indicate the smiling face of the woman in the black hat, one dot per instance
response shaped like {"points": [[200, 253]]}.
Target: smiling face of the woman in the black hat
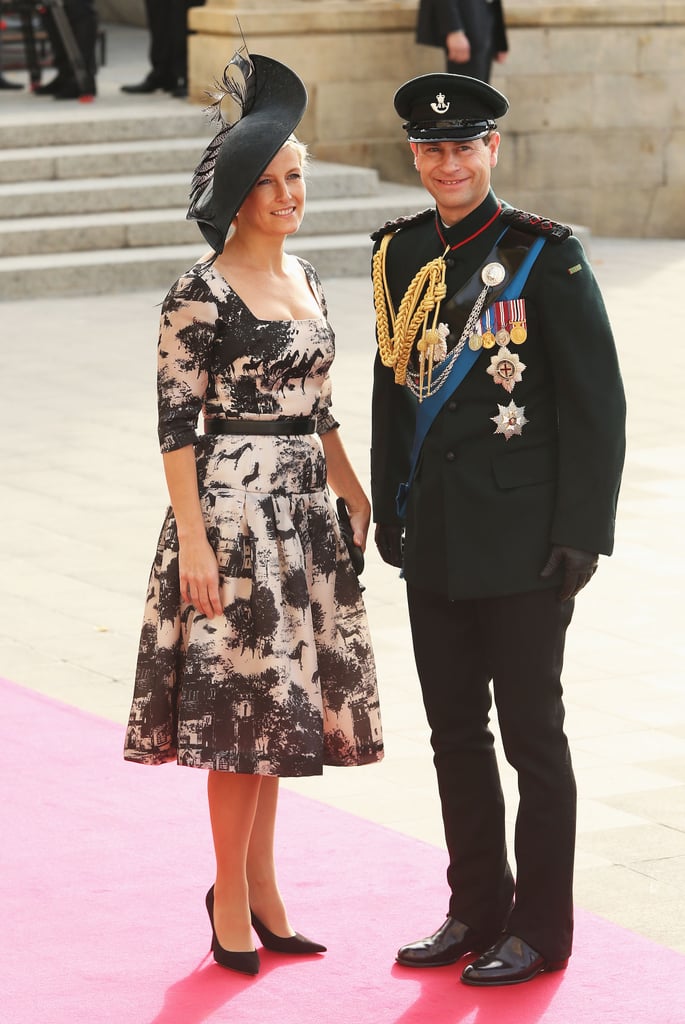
{"points": [[276, 204]]}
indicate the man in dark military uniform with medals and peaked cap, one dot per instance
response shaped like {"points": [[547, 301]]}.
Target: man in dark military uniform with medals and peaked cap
{"points": [[495, 350]]}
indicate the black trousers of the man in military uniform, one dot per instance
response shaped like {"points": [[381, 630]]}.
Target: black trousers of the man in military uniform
{"points": [[517, 644]]}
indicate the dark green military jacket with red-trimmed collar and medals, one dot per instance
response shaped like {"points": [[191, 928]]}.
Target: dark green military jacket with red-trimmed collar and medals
{"points": [[483, 510]]}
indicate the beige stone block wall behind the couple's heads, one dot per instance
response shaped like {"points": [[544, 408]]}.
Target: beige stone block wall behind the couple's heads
{"points": [[596, 132]]}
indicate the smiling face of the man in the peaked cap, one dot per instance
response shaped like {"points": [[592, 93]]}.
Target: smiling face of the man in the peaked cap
{"points": [[457, 175]]}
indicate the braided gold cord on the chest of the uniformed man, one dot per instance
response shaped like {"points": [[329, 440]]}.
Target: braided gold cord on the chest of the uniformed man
{"points": [[423, 296]]}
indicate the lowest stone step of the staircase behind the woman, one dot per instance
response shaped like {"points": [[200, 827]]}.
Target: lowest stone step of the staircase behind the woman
{"points": [[112, 271]]}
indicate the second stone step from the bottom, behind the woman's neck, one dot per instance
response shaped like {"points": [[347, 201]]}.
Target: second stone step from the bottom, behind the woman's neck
{"points": [[138, 229]]}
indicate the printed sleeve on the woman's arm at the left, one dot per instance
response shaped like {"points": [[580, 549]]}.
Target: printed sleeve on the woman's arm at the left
{"points": [[185, 352]]}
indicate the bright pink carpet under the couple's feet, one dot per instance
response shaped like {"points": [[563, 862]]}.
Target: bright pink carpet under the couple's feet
{"points": [[104, 868]]}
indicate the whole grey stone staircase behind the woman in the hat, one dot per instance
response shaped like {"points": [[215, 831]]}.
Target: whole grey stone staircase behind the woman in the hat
{"points": [[98, 205]]}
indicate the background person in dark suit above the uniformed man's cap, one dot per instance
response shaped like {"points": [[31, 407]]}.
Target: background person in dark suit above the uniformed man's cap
{"points": [[472, 32]]}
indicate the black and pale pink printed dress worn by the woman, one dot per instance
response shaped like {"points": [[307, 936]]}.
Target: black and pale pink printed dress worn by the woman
{"points": [[284, 682]]}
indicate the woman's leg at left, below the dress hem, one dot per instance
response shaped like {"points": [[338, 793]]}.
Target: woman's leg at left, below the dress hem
{"points": [[233, 809]]}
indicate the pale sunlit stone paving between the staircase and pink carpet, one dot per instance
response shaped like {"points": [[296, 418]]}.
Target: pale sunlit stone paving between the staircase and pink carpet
{"points": [[82, 499]]}
